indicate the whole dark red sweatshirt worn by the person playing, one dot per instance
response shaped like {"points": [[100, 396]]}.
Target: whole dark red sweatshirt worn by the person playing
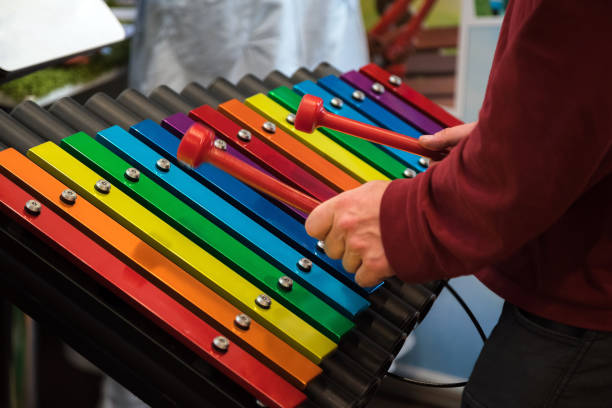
{"points": [[525, 201]]}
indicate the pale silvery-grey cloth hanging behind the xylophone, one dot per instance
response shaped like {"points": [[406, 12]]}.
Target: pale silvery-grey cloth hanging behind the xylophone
{"points": [[179, 41]]}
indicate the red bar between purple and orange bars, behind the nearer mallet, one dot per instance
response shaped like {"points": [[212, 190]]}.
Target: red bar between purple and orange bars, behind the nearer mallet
{"points": [[261, 153]]}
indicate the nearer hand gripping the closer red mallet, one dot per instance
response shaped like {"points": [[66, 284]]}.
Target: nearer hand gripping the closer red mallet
{"points": [[350, 226]]}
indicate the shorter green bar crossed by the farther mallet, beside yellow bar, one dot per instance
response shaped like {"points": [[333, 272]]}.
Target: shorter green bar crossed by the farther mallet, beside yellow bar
{"points": [[374, 156]]}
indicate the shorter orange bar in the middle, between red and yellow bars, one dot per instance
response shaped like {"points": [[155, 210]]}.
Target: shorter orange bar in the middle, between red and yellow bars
{"points": [[289, 146]]}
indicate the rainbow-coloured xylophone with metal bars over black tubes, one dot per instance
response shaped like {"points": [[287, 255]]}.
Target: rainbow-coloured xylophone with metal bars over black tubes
{"points": [[185, 284]]}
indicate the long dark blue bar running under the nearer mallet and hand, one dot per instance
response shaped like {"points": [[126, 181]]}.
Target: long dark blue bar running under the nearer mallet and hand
{"points": [[246, 200]]}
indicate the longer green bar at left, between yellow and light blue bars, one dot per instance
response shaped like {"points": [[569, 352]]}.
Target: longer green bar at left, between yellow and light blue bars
{"points": [[206, 234]]}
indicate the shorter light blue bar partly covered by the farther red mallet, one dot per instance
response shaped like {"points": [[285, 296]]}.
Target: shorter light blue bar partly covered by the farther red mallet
{"points": [[309, 87]]}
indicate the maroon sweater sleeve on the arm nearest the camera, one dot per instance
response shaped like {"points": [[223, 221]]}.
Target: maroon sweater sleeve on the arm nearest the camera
{"points": [[542, 136]]}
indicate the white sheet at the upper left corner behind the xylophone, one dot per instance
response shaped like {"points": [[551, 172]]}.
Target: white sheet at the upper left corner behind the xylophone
{"points": [[35, 32]]}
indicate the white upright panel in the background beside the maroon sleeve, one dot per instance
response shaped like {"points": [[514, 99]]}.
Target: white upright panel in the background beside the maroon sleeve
{"points": [[477, 43]]}
